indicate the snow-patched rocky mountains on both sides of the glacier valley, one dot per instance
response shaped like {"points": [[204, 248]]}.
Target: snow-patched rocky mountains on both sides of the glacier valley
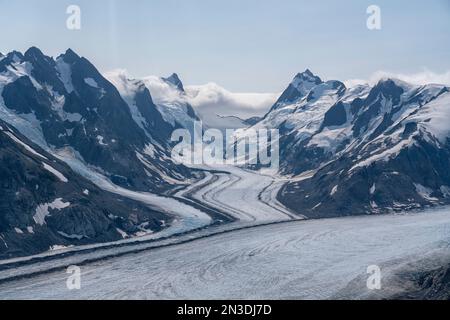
{"points": [[65, 129]]}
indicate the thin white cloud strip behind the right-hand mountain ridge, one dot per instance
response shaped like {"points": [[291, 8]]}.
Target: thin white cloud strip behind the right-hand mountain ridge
{"points": [[420, 78]]}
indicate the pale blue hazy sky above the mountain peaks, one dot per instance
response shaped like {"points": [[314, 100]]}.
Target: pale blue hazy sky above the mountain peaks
{"points": [[243, 45]]}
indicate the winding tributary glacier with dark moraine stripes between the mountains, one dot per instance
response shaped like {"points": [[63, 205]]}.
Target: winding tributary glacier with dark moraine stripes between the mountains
{"points": [[248, 197]]}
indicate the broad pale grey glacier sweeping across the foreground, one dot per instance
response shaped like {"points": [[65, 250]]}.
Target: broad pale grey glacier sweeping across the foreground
{"points": [[316, 259]]}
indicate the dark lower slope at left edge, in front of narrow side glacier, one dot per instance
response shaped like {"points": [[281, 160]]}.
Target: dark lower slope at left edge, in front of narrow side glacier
{"points": [[43, 203]]}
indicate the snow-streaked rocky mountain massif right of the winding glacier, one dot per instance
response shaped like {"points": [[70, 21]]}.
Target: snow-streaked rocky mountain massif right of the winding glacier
{"points": [[362, 150]]}
